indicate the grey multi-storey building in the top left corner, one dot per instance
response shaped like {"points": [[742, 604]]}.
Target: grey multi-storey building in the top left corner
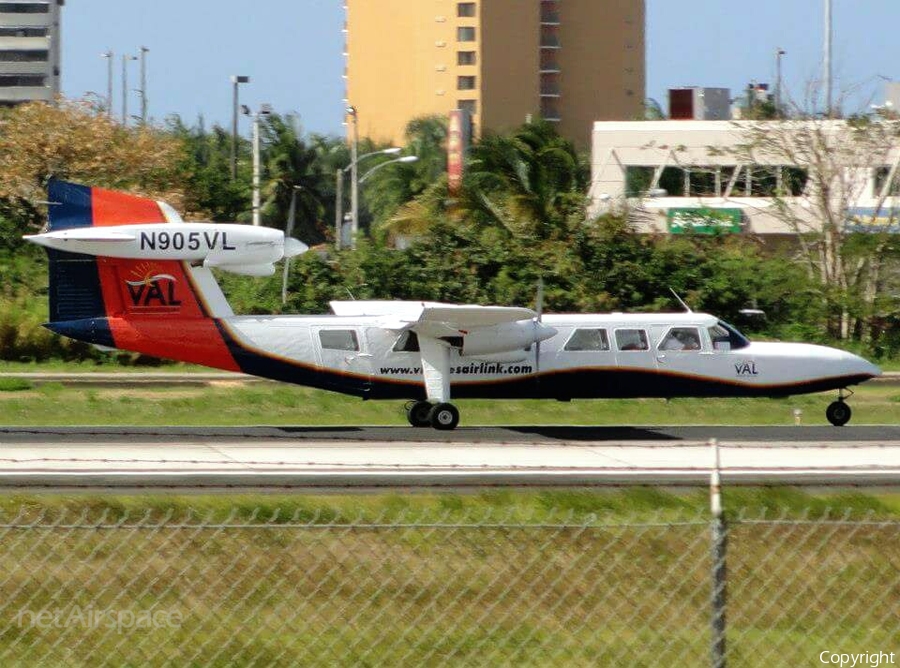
{"points": [[29, 50]]}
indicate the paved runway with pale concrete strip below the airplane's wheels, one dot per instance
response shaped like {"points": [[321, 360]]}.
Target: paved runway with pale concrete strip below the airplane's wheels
{"points": [[379, 457]]}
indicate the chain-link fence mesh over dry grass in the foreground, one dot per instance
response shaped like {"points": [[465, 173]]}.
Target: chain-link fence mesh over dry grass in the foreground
{"points": [[430, 590]]}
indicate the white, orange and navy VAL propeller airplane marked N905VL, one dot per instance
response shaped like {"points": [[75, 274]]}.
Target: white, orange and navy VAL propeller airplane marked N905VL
{"points": [[119, 280]]}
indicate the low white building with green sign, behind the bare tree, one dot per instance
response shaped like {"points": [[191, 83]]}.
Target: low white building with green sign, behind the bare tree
{"points": [[692, 176]]}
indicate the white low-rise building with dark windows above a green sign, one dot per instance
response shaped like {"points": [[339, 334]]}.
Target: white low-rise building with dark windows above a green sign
{"points": [[678, 174]]}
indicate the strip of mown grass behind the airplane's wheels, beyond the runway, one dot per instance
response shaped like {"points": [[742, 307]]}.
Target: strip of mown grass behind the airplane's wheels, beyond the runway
{"points": [[236, 403]]}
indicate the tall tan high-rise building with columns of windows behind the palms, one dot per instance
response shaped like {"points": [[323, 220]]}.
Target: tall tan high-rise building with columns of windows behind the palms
{"points": [[572, 62]]}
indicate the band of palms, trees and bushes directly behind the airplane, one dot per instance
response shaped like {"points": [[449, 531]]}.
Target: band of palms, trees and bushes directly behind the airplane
{"points": [[519, 216]]}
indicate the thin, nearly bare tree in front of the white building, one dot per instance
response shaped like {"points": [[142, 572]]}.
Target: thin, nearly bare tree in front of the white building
{"points": [[842, 243]]}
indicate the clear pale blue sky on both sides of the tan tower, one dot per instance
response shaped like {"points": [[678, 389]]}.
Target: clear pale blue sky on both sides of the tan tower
{"points": [[292, 50]]}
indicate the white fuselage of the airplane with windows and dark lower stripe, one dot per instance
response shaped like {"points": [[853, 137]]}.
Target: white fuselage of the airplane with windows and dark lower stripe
{"points": [[607, 366]]}
